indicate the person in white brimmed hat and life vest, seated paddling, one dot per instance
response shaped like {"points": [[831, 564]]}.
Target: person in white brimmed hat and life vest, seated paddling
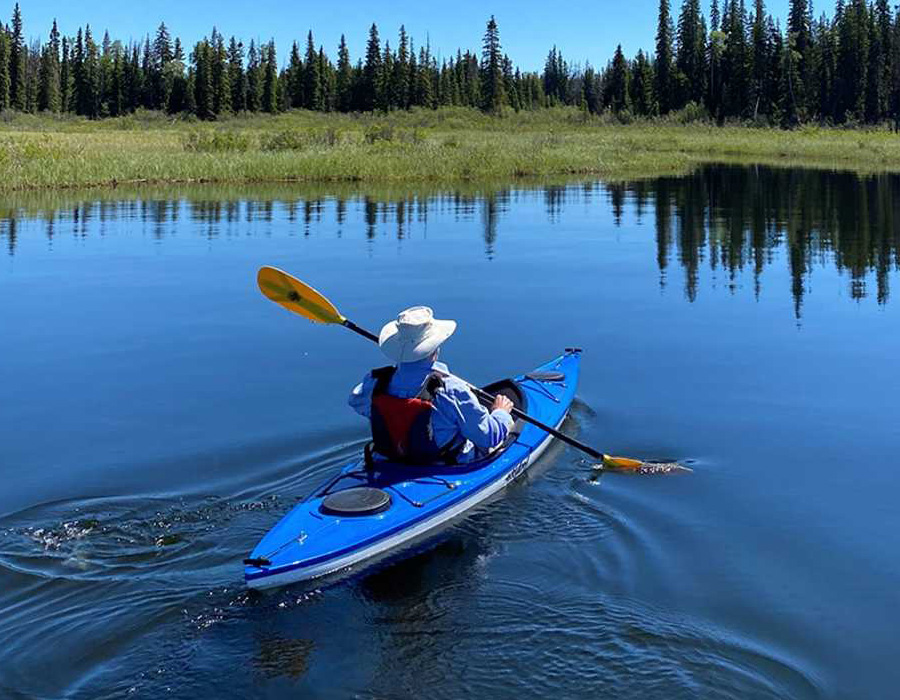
{"points": [[418, 411]]}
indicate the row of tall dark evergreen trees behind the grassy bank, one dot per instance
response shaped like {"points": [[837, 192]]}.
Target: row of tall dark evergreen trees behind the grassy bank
{"points": [[740, 66]]}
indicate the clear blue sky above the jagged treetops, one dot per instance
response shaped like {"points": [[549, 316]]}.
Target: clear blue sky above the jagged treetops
{"points": [[584, 30]]}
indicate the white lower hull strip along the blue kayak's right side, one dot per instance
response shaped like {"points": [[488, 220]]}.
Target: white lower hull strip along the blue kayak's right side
{"points": [[382, 546]]}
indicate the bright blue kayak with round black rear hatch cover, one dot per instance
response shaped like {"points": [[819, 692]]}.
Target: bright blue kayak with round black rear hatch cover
{"points": [[374, 507]]}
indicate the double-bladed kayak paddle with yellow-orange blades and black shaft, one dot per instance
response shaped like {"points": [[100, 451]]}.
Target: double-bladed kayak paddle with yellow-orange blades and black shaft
{"points": [[301, 299]]}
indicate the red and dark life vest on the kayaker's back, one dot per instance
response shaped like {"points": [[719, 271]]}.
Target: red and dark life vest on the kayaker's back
{"points": [[402, 428]]}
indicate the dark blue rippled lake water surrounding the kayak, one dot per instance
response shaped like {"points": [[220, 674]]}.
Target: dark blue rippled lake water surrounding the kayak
{"points": [[158, 415]]}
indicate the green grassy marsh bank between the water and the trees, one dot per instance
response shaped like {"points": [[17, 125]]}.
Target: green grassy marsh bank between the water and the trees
{"points": [[447, 146]]}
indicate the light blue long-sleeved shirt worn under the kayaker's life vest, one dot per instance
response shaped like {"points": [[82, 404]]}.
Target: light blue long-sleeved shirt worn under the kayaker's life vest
{"points": [[456, 410]]}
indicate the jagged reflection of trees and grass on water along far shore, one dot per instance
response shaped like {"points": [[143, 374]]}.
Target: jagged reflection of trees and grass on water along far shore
{"points": [[727, 219]]}
